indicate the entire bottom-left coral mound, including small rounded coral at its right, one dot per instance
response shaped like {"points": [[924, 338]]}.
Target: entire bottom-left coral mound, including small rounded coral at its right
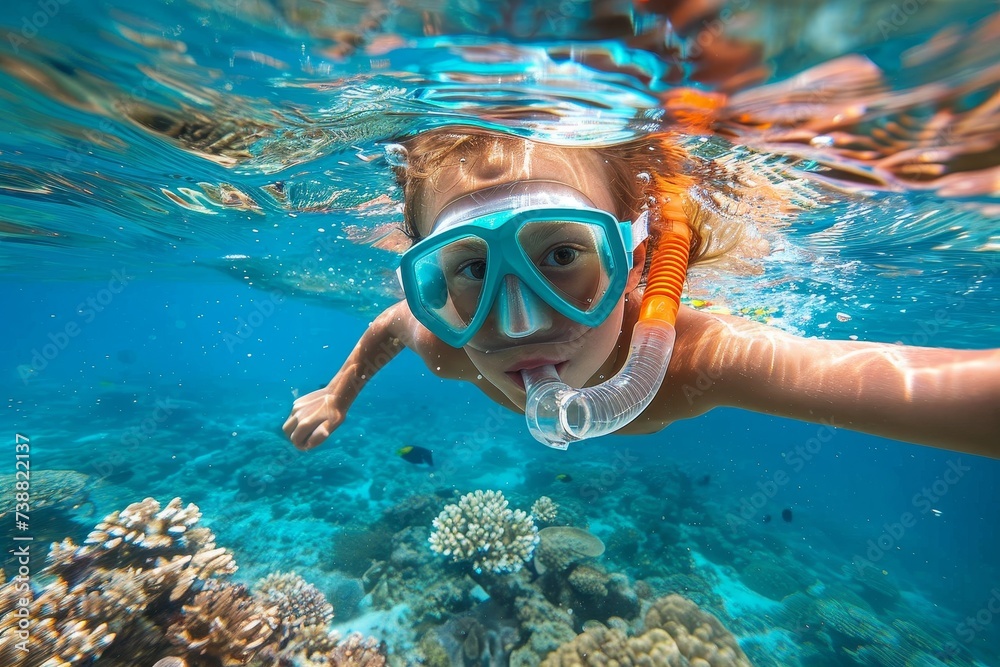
{"points": [[149, 586]]}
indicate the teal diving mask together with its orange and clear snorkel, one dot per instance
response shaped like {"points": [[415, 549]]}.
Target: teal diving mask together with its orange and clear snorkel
{"points": [[526, 249]]}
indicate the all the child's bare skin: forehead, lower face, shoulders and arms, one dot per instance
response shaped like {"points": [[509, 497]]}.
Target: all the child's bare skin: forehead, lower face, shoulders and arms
{"points": [[937, 397]]}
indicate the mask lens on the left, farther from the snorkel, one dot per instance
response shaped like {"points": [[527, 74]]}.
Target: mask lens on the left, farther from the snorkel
{"points": [[451, 280]]}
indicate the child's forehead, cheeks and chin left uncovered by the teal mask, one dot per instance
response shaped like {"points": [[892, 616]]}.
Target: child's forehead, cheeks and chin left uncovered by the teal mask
{"points": [[582, 355]]}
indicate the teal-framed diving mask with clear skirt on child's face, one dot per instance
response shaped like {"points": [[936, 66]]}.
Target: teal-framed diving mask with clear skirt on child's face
{"points": [[524, 248]]}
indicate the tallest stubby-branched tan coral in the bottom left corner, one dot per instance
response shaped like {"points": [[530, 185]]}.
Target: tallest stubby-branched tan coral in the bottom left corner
{"points": [[98, 606]]}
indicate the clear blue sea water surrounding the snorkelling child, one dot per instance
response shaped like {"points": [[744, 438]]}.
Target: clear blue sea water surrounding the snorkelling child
{"points": [[154, 343]]}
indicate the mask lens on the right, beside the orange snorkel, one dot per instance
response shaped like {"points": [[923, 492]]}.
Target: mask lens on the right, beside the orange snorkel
{"points": [[572, 259]]}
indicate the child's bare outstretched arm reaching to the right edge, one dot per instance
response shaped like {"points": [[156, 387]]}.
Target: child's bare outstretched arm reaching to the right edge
{"points": [[938, 397]]}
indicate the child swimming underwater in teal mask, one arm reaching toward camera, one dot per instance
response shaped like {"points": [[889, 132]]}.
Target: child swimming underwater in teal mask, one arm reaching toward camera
{"points": [[558, 312]]}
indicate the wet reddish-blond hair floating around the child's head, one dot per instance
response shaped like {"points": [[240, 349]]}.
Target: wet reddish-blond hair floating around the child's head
{"points": [[630, 167]]}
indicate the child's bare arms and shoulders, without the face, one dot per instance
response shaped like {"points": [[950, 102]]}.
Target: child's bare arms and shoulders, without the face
{"points": [[938, 397]]}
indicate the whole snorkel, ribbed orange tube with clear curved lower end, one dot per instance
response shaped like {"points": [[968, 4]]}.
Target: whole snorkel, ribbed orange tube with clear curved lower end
{"points": [[558, 414]]}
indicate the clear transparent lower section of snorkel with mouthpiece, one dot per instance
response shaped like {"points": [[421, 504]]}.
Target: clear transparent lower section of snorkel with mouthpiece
{"points": [[558, 414]]}
